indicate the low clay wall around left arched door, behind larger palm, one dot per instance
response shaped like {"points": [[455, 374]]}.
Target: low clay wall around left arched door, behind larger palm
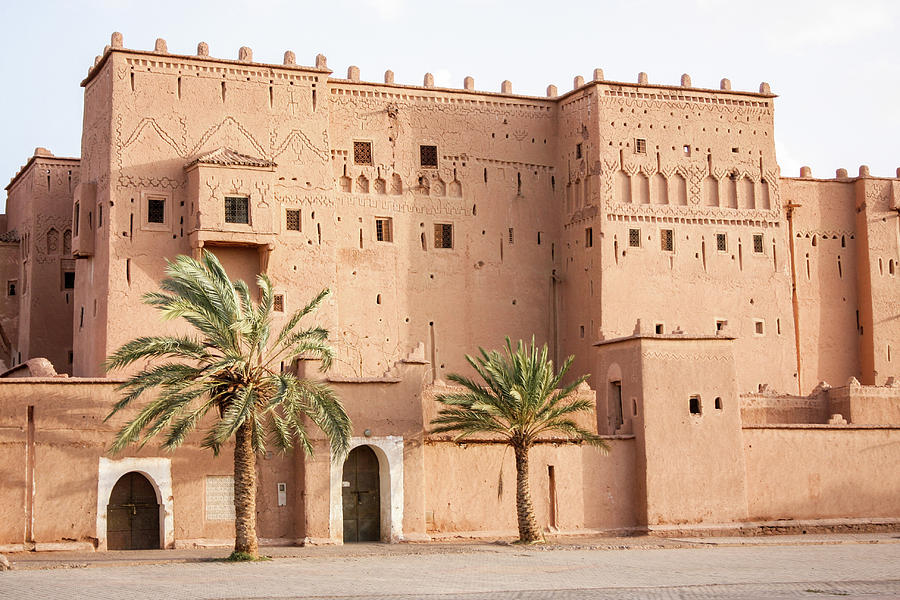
{"points": [[66, 428]]}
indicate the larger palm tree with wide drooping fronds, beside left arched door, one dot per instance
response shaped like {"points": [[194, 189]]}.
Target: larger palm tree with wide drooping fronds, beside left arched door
{"points": [[229, 368]]}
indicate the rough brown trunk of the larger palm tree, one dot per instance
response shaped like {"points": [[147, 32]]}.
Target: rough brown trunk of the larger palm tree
{"points": [[245, 492]]}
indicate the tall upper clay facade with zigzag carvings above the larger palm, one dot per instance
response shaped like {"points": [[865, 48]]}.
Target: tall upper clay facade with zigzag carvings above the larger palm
{"points": [[486, 189]]}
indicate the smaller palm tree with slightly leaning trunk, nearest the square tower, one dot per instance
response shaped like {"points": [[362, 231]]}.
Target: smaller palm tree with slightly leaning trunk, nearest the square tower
{"points": [[518, 400]]}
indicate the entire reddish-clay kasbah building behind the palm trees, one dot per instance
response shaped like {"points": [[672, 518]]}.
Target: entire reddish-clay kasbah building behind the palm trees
{"points": [[741, 329]]}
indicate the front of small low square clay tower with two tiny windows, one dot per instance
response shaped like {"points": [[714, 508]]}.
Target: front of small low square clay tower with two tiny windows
{"points": [[687, 429]]}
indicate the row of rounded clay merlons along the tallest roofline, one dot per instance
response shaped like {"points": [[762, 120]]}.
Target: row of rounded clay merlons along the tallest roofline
{"points": [[681, 92]]}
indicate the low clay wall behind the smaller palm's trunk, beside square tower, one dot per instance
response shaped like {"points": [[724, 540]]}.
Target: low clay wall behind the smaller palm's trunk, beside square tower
{"points": [[464, 494]]}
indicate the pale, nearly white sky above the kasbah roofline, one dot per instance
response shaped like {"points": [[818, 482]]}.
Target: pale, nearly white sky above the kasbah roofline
{"points": [[834, 64]]}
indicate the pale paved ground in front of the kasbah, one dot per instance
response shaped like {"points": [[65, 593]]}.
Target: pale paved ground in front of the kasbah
{"points": [[866, 567]]}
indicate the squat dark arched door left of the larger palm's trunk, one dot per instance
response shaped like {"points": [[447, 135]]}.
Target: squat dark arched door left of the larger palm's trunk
{"points": [[132, 515]]}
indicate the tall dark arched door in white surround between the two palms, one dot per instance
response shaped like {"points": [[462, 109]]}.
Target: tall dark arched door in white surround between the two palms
{"points": [[361, 497]]}
